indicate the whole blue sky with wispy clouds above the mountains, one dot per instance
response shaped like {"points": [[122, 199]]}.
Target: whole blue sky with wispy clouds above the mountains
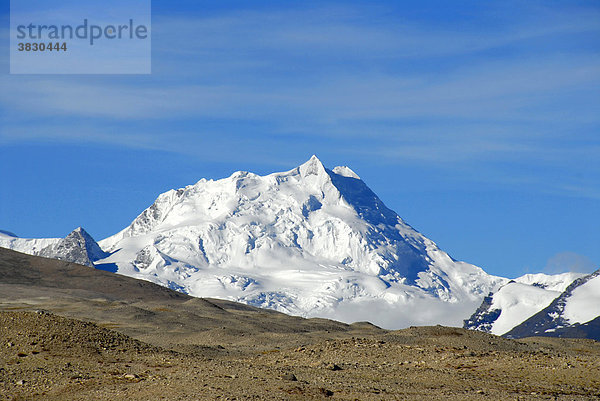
{"points": [[478, 122]]}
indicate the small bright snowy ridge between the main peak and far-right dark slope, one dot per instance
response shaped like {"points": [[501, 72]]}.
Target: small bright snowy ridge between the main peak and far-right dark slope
{"points": [[517, 301]]}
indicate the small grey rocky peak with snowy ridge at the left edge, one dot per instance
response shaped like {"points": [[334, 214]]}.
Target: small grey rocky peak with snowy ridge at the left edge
{"points": [[77, 247]]}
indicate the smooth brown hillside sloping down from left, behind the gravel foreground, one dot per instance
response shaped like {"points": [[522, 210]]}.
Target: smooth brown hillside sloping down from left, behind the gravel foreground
{"points": [[140, 308]]}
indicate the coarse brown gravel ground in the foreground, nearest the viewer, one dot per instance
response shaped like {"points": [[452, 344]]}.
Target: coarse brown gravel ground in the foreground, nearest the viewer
{"points": [[49, 357]]}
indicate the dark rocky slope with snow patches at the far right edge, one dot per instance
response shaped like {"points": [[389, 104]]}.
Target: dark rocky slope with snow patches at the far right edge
{"points": [[574, 313]]}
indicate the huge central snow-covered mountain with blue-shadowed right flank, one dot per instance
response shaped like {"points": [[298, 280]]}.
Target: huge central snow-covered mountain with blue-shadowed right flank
{"points": [[310, 241]]}
